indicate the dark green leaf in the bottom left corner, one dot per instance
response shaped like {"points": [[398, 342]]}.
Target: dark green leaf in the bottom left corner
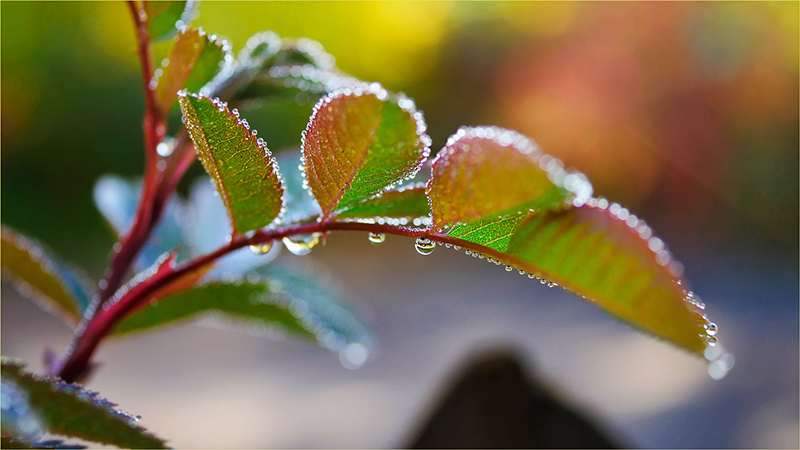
{"points": [[69, 410]]}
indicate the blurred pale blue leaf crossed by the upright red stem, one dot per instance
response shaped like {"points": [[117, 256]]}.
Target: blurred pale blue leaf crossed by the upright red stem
{"points": [[117, 199]]}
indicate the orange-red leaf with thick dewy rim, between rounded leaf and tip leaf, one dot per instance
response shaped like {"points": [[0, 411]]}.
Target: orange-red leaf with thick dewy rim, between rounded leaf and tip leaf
{"points": [[488, 172]]}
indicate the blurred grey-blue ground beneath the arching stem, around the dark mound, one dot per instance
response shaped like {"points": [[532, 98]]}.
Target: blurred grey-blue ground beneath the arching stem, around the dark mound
{"points": [[202, 387]]}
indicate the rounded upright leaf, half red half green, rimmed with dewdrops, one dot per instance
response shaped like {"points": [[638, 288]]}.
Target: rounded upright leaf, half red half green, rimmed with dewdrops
{"points": [[359, 142]]}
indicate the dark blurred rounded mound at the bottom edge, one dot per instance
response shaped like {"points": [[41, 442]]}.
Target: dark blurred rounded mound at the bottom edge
{"points": [[496, 403]]}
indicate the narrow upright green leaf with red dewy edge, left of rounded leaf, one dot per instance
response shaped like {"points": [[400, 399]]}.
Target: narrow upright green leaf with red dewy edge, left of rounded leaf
{"points": [[242, 168]]}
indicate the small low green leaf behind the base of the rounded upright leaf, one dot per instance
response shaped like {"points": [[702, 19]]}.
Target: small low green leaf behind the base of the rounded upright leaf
{"points": [[408, 202]]}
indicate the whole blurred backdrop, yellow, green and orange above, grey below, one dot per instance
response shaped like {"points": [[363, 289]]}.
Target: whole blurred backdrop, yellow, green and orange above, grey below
{"points": [[687, 113]]}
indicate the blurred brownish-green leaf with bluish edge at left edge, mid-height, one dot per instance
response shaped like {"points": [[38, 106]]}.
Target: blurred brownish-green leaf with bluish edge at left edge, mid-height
{"points": [[36, 274]]}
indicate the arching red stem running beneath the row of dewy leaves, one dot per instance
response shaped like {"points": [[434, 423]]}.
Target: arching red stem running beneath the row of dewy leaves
{"points": [[86, 341]]}
